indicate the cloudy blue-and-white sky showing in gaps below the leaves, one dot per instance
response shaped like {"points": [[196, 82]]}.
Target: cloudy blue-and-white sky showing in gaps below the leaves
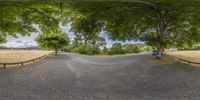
{"points": [[29, 40]]}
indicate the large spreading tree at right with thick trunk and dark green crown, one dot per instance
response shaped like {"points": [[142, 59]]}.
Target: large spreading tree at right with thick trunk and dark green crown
{"points": [[161, 23]]}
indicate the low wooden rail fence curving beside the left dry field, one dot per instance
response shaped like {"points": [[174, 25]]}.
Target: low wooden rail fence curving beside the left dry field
{"points": [[23, 62]]}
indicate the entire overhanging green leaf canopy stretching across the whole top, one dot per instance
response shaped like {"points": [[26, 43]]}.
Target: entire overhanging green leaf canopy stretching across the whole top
{"points": [[161, 23]]}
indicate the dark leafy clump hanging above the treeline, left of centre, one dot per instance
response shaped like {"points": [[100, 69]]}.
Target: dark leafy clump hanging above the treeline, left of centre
{"points": [[87, 31]]}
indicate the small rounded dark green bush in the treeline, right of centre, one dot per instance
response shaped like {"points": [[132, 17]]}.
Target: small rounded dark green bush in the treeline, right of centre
{"points": [[116, 49]]}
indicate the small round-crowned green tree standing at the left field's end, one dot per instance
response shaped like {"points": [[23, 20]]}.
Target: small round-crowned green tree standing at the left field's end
{"points": [[53, 40]]}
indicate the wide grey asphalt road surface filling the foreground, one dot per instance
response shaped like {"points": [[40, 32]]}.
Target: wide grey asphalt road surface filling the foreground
{"points": [[78, 77]]}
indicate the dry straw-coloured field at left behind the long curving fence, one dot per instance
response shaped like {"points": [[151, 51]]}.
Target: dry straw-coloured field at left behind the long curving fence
{"points": [[10, 56]]}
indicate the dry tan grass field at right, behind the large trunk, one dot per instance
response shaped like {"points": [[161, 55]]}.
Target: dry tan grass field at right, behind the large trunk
{"points": [[187, 55]]}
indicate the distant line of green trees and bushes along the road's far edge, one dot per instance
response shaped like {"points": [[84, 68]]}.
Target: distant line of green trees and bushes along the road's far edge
{"points": [[116, 48]]}
